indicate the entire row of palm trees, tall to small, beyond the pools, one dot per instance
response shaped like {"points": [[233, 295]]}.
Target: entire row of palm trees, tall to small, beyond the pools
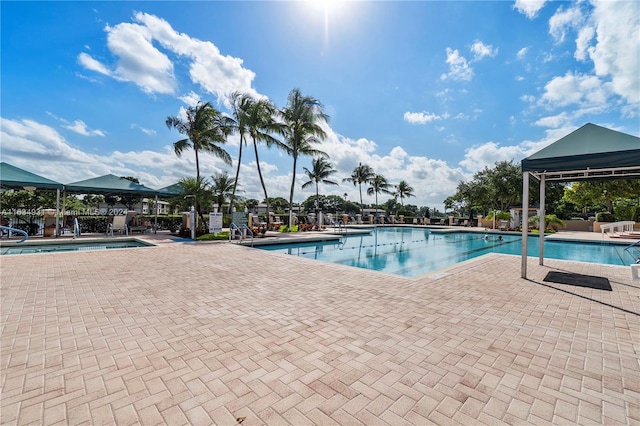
{"points": [[295, 129]]}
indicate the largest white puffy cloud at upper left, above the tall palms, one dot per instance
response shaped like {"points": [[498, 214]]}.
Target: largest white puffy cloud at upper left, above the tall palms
{"points": [[139, 60]]}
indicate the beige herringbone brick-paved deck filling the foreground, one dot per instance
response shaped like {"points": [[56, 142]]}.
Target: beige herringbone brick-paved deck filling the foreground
{"points": [[221, 334]]}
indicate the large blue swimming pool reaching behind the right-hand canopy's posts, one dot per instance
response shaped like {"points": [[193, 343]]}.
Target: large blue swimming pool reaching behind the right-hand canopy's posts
{"points": [[411, 252]]}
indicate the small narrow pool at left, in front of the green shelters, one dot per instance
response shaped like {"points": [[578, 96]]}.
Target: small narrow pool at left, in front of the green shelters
{"points": [[39, 247]]}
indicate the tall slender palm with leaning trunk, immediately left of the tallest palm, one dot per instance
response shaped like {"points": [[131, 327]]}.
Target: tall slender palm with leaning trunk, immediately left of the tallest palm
{"points": [[261, 122]]}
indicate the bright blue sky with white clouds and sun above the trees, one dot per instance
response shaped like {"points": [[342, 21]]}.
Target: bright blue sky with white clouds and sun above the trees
{"points": [[429, 92]]}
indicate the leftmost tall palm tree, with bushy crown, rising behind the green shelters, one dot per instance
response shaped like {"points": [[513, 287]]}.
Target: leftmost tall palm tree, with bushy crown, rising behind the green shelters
{"points": [[205, 128]]}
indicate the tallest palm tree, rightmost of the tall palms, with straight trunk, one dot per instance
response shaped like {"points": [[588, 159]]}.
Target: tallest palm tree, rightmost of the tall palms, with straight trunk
{"points": [[302, 117]]}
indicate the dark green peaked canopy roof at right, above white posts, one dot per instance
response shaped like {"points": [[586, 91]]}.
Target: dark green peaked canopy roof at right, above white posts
{"points": [[587, 148]]}
